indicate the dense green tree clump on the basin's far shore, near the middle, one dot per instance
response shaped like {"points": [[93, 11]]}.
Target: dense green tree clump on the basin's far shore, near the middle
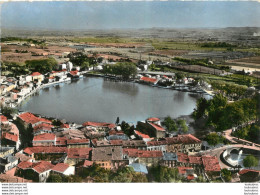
{"points": [[123, 69]]}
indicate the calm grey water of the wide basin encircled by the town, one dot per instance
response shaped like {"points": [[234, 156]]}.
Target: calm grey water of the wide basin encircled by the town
{"points": [[95, 99]]}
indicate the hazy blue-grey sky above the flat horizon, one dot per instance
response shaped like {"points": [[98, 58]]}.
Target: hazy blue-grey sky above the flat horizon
{"points": [[125, 15]]}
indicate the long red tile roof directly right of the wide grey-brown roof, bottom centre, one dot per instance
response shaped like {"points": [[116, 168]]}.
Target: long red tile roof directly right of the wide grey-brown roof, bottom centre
{"points": [[142, 153]]}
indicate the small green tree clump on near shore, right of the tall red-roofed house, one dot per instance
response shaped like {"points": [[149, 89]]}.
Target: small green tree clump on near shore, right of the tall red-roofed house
{"points": [[175, 125]]}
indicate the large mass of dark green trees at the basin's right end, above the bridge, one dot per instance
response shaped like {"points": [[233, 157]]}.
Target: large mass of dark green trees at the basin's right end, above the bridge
{"points": [[221, 116]]}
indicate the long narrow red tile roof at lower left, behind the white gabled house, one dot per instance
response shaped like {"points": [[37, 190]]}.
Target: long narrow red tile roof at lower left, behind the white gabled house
{"points": [[48, 149]]}
